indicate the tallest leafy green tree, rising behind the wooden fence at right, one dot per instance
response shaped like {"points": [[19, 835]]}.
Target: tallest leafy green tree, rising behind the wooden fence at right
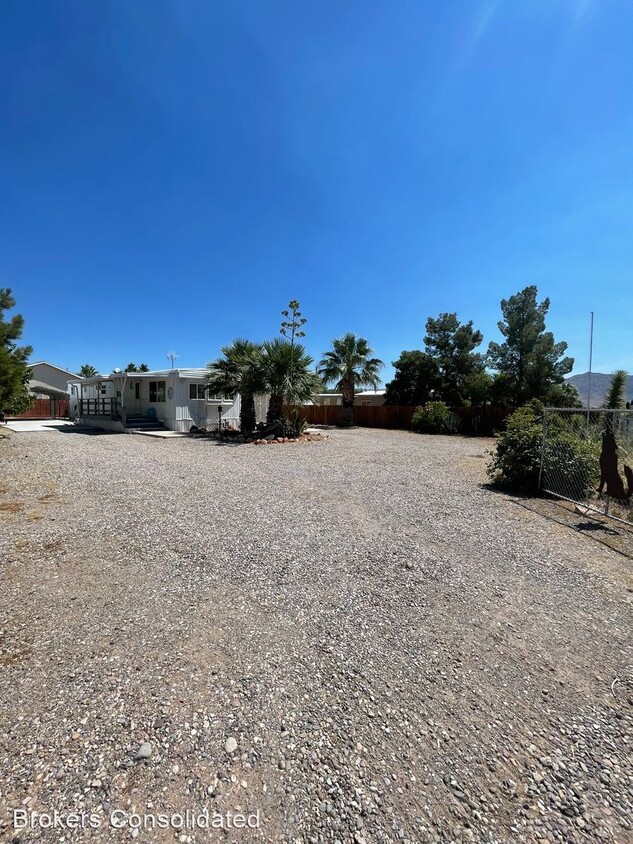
{"points": [[530, 362]]}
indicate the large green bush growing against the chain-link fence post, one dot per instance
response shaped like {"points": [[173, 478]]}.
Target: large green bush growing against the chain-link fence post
{"points": [[515, 464]]}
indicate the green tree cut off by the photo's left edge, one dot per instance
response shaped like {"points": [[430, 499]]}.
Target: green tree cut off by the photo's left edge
{"points": [[14, 368]]}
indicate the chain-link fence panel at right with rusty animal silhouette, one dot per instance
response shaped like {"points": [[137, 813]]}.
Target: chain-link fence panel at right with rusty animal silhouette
{"points": [[587, 458]]}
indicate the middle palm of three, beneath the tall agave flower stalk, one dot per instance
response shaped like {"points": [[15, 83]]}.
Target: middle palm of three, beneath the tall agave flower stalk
{"points": [[288, 376]]}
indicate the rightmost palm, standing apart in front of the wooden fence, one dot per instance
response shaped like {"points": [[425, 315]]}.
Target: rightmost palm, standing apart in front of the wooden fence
{"points": [[349, 365]]}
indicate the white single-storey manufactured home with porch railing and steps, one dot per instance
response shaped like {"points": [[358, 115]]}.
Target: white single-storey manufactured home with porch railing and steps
{"points": [[175, 399]]}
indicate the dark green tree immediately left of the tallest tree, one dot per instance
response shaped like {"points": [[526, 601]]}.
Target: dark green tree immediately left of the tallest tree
{"points": [[451, 345]]}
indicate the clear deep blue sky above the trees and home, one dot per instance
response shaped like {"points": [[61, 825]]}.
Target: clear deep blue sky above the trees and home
{"points": [[171, 174]]}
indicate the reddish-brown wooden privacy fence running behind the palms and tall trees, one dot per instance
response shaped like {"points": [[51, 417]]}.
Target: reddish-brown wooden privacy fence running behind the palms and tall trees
{"points": [[481, 421]]}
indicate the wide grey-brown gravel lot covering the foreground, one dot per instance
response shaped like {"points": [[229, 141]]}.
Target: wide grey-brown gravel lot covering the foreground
{"points": [[353, 638]]}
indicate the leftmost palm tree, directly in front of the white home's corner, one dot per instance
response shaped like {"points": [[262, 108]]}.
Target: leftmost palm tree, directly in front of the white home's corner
{"points": [[239, 371]]}
